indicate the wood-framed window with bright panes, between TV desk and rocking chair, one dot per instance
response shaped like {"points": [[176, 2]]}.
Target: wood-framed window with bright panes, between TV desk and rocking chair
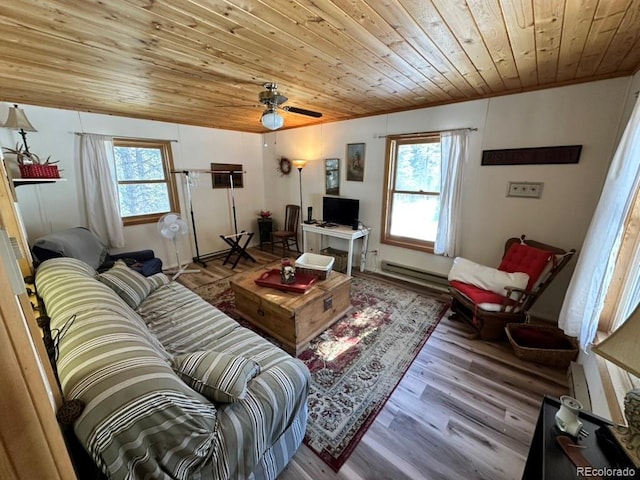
{"points": [[412, 192]]}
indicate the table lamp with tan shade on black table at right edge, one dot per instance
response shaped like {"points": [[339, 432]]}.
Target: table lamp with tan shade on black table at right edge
{"points": [[622, 348]]}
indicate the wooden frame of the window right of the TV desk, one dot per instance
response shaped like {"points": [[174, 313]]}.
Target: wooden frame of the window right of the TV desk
{"points": [[393, 141]]}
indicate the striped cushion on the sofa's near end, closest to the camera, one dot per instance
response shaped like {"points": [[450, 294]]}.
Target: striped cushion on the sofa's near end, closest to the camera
{"points": [[221, 377]]}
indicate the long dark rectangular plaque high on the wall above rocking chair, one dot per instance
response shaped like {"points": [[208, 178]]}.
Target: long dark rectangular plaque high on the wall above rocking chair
{"points": [[532, 156]]}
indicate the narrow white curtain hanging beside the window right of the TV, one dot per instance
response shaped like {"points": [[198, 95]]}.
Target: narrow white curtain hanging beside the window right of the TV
{"points": [[454, 153]]}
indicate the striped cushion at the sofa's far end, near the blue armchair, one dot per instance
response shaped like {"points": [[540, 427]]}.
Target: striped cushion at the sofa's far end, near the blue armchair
{"points": [[130, 285]]}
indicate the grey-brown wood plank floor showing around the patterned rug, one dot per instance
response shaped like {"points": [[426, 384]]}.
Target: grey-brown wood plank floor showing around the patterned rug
{"points": [[466, 409]]}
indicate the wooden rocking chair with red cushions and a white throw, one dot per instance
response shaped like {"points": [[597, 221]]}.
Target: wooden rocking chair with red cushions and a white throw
{"points": [[490, 298]]}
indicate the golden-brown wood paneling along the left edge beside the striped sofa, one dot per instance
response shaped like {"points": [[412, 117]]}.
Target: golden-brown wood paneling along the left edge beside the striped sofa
{"points": [[31, 442]]}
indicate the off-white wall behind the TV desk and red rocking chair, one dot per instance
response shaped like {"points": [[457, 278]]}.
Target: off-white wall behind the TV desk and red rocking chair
{"points": [[586, 114]]}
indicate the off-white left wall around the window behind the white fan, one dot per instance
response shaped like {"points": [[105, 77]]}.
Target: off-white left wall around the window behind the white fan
{"points": [[50, 207]]}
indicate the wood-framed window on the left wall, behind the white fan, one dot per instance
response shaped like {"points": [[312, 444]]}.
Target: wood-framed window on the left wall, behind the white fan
{"points": [[146, 186]]}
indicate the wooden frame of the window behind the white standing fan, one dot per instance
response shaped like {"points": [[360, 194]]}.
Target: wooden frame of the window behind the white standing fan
{"points": [[169, 179]]}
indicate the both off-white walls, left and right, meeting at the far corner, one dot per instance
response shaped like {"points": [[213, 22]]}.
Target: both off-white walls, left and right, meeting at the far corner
{"points": [[587, 114]]}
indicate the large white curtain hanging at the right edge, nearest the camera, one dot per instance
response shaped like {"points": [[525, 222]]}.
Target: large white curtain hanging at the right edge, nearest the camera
{"points": [[585, 296]]}
